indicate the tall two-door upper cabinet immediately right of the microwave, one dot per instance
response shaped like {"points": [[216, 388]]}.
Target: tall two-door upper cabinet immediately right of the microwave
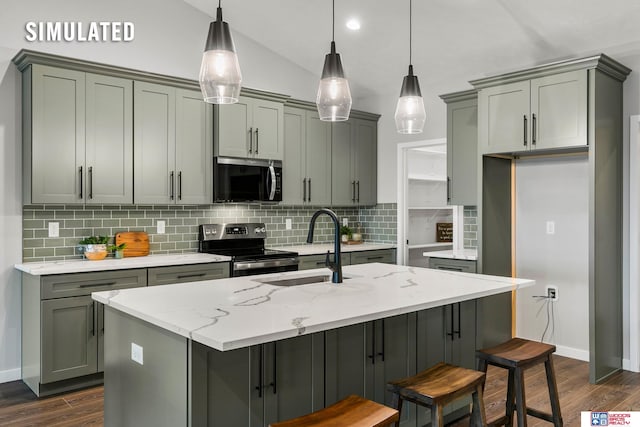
{"points": [[307, 158]]}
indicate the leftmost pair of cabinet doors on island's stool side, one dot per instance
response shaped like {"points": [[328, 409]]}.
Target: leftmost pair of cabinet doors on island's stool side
{"points": [[263, 384]]}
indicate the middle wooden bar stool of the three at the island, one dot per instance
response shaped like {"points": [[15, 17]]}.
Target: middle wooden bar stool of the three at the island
{"points": [[438, 386]]}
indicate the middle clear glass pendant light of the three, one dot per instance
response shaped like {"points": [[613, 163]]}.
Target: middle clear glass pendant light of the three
{"points": [[334, 96]]}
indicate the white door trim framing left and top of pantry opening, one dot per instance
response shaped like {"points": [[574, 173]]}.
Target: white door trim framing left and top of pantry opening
{"points": [[402, 178]]}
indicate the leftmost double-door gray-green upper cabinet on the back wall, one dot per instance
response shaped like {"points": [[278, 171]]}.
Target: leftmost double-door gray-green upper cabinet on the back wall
{"points": [[84, 122]]}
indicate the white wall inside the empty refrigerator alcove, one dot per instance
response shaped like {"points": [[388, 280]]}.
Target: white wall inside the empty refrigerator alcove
{"points": [[554, 190]]}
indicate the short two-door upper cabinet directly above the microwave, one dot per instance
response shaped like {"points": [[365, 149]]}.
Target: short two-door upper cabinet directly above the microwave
{"points": [[250, 128]]}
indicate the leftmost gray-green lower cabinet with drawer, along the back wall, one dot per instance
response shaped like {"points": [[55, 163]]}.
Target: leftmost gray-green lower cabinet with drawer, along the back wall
{"points": [[63, 328]]}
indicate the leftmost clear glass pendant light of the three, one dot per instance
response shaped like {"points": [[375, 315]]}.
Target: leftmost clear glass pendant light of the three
{"points": [[220, 75]]}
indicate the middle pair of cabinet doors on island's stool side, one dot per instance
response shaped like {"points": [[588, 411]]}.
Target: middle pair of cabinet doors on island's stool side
{"points": [[361, 359]]}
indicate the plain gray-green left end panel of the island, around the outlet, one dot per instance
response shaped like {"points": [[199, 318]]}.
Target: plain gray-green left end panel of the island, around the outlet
{"points": [[151, 393]]}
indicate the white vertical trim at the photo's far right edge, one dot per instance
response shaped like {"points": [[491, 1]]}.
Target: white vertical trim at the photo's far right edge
{"points": [[634, 244]]}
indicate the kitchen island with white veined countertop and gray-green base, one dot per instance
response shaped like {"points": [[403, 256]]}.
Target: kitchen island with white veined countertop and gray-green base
{"points": [[245, 352]]}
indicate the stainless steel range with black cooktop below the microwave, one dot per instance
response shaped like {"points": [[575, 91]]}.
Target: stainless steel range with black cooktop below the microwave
{"points": [[244, 243]]}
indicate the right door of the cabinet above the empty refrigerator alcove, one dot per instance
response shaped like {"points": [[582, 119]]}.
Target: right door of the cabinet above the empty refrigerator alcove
{"points": [[559, 103]]}
